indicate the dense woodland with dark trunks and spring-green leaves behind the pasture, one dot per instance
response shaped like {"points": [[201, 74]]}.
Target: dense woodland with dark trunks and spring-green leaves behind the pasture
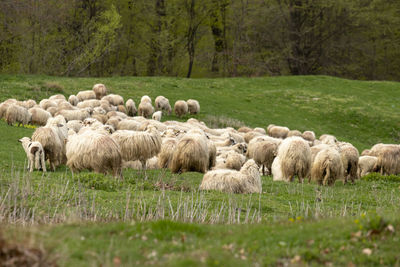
{"points": [[356, 39]]}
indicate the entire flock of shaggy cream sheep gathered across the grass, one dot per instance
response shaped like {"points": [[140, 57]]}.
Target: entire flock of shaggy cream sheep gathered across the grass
{"points": [[99, 132]]}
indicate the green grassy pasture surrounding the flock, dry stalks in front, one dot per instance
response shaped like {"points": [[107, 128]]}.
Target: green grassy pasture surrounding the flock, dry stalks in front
{"points": [[160, 218]]}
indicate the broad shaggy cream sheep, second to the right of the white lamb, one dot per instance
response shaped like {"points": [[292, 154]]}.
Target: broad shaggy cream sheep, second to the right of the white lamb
{"points": [[94, 151]]}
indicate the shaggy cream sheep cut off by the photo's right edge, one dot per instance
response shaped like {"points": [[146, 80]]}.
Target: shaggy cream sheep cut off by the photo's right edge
{"points": [[388, 158]]}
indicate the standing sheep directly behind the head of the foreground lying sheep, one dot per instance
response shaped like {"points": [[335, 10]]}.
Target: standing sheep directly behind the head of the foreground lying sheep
{"points": [[263, 152]]}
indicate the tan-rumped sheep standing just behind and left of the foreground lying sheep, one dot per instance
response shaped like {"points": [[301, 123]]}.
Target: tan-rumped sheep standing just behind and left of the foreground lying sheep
{"points": [[191, 153]]}
